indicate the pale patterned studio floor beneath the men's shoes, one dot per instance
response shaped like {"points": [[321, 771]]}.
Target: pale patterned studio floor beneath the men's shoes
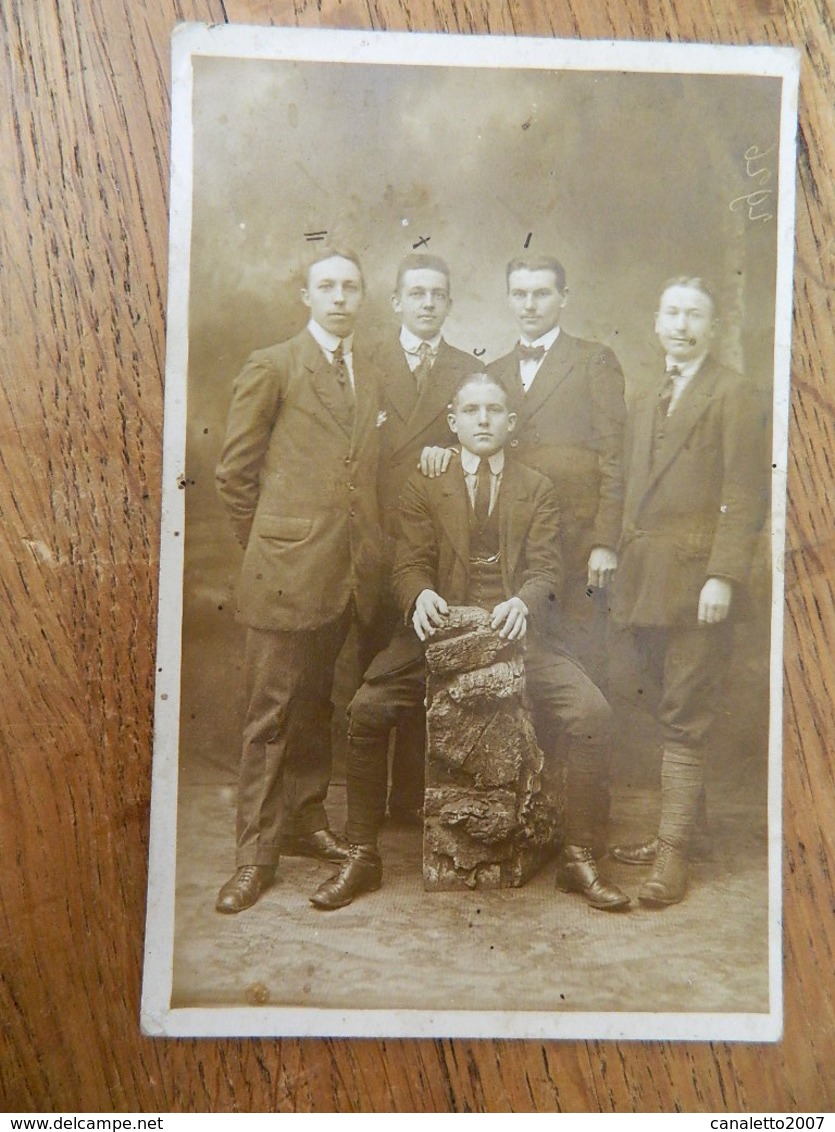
{"points": [[524, 949]]}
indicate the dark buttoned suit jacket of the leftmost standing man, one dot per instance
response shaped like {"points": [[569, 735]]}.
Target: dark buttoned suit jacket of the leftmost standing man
{"points": [[299, 485]]}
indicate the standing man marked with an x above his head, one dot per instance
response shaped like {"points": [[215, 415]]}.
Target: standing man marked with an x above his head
{"points": [[421, 374]]}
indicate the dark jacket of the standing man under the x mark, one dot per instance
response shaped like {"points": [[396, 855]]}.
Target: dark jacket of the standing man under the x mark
{"points": [[414, 423]]}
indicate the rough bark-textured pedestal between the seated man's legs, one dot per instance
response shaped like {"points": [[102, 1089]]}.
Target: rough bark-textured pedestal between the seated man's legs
{"points": [[493, 819]]}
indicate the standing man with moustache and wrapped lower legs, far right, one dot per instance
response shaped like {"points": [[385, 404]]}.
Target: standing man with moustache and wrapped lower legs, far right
{"points": [[696, 500]]}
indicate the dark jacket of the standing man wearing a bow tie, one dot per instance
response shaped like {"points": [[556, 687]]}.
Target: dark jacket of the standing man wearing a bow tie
{"points": [[571, 428]]}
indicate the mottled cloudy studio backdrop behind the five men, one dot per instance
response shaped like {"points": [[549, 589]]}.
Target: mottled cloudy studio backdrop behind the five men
{"points": [[627, 178]]}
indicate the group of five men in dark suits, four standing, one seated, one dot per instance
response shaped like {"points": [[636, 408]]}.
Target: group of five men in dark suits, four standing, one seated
{"points": [[386, 488]]}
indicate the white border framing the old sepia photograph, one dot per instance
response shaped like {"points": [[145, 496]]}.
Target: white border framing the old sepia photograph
{"points": [[193, 41]]}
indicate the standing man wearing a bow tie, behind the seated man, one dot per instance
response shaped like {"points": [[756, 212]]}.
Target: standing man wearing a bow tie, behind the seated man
{"points": [[571, 430]]}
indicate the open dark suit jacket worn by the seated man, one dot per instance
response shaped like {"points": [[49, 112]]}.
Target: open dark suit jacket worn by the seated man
{"points": [[434, 544]]}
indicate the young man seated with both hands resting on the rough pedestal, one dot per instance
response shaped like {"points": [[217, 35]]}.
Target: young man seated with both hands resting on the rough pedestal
{"points": [[485, 535]]}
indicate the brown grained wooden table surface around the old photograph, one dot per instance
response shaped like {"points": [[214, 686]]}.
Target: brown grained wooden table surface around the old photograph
{"points": [[84, 183]]}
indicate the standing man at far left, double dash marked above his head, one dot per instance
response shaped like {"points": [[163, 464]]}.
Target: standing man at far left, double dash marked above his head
{"points": [[298, 478]]}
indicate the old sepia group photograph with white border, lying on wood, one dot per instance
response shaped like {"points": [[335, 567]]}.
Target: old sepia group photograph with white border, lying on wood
{"points": [[470, 632]]}
